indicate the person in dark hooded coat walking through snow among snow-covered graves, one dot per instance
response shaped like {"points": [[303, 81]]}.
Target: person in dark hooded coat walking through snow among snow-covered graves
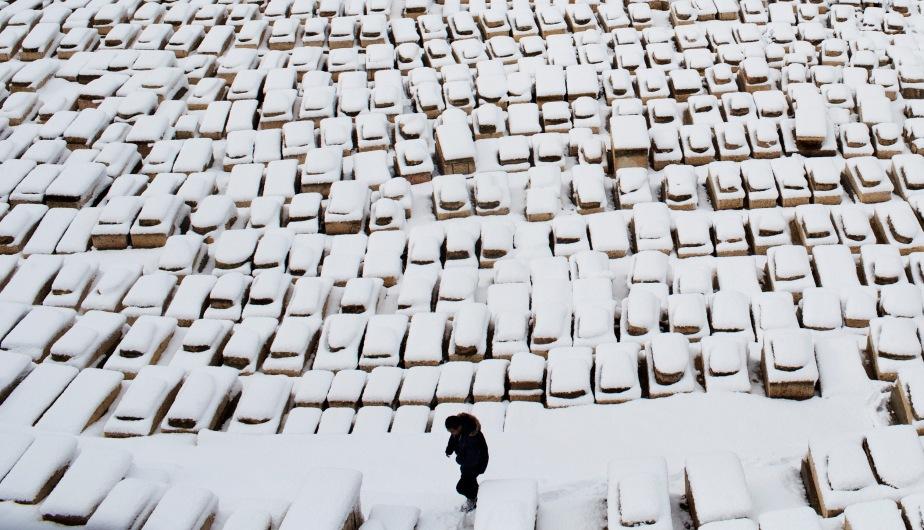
{"points": [[471, 450]]}
